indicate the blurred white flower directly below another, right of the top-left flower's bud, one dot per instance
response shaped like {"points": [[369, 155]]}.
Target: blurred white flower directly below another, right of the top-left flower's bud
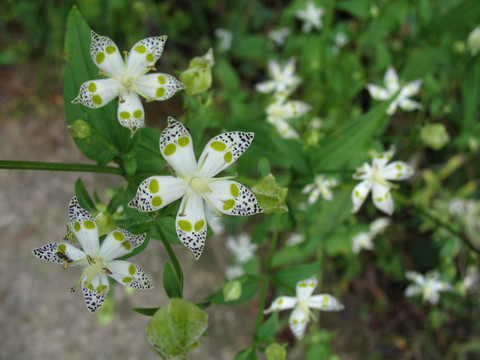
{"points": [[279, 111]]}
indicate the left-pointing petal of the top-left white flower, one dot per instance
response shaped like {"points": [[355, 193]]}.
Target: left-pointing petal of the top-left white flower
{"points": [[97, 93]]}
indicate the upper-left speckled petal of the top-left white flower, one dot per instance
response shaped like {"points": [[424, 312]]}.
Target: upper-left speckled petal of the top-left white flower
{"points": [[106, 56]]}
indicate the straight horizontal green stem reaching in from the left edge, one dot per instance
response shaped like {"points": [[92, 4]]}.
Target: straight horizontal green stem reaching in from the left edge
{"points": [[48, 166]]}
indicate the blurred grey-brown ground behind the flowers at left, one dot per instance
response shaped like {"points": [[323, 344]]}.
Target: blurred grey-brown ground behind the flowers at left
{"points": [[39, 317]]}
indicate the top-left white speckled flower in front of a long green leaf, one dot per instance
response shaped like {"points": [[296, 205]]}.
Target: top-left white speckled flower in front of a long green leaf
{"points": [[127, 80]]}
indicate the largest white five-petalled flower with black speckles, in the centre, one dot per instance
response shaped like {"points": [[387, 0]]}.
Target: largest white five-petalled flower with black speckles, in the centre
{"points": [[194, 182]]}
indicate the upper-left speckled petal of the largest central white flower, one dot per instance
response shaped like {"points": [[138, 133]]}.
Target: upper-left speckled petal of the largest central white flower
{"points": [[177, 148]]}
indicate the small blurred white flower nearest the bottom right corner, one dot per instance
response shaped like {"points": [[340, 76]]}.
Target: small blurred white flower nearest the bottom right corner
{"points": [[429, 286]]}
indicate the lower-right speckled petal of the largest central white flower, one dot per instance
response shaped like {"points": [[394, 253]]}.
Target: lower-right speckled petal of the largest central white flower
{"points": [[232, 198]]}
